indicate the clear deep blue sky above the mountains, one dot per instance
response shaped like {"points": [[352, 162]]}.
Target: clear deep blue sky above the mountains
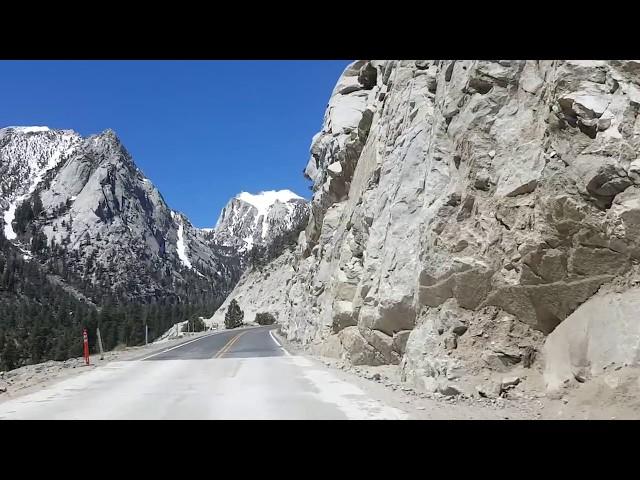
{"points": [[202, 131]]}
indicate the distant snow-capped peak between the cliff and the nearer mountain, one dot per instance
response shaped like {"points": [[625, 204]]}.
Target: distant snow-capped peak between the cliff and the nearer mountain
{"points": [[250, 220]]}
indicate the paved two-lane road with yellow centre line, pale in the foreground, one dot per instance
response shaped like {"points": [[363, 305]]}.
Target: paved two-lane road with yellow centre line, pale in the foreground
{"points": [[238, 374]]}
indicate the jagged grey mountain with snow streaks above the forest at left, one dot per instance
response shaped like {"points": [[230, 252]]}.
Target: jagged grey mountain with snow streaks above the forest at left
{"points": [[100, 223]]}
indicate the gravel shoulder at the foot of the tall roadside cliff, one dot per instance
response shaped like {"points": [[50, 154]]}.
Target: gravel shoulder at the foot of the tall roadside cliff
{"points": [[616, 396]]}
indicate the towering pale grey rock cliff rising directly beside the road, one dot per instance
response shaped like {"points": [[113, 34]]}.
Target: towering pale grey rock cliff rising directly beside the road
{"points": [[462, 210]]}
